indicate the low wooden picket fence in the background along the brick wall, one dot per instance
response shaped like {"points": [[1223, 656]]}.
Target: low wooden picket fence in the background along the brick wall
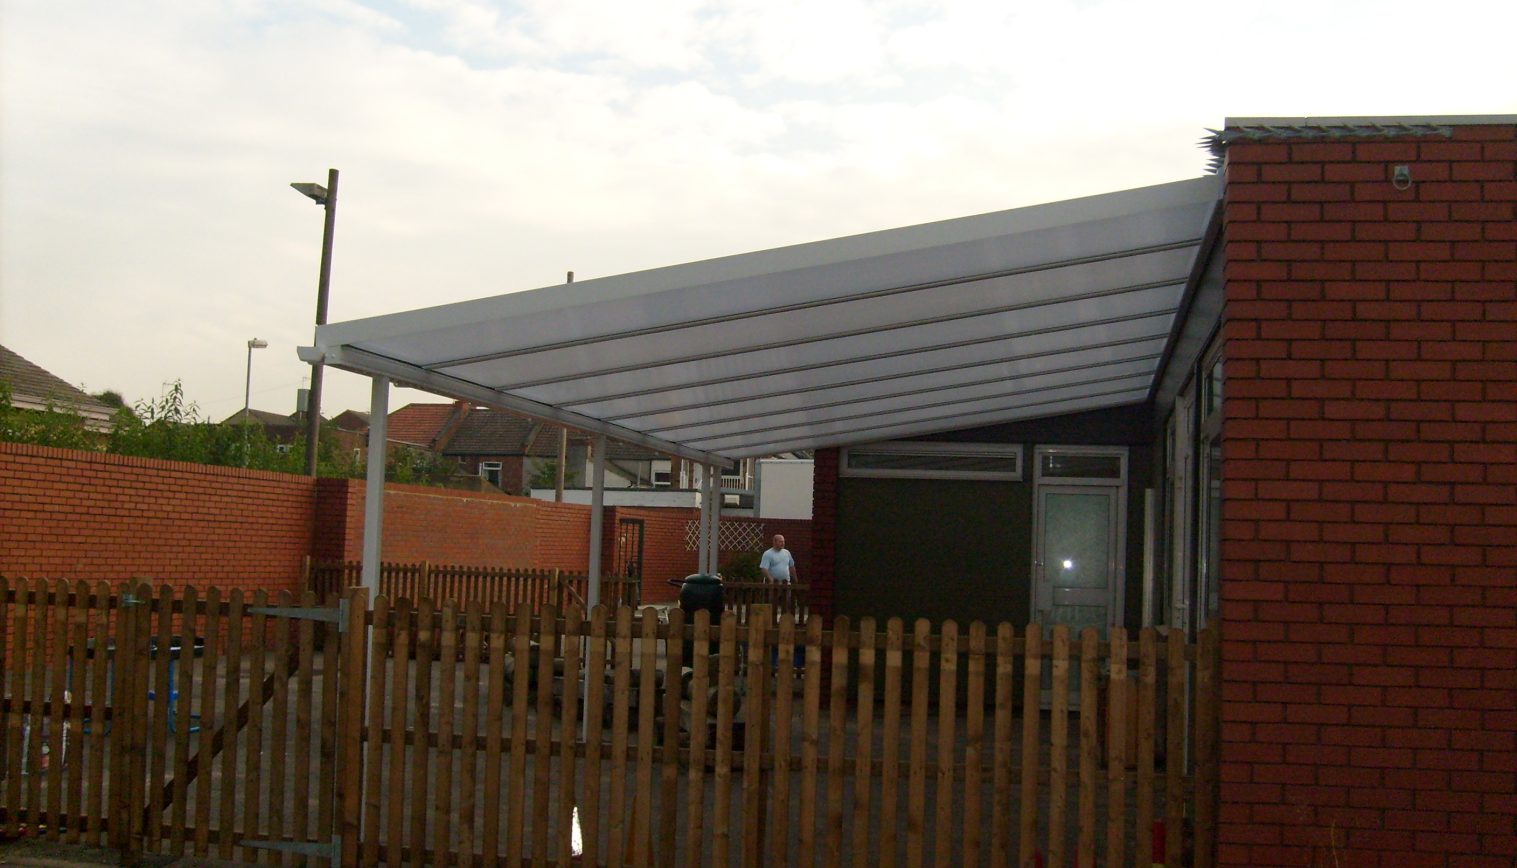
{"points": [[533, 588]]}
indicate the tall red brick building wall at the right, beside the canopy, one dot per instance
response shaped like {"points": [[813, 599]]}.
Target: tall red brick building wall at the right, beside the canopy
{"points": [[1371, 503]]}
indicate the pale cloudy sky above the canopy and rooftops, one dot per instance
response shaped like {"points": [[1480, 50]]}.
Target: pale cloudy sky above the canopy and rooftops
{"points": [[148, 228]]}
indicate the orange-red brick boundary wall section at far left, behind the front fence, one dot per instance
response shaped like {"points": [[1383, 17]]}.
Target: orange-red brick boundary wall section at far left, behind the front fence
{"points": [[92, 517]]}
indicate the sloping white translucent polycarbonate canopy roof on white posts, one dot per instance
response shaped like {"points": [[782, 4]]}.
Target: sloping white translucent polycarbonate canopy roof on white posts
{"points": [[1017, 315]]}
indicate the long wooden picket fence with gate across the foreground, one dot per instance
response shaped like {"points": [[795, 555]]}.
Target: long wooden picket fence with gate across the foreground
{"points": [[485, 735]]}
